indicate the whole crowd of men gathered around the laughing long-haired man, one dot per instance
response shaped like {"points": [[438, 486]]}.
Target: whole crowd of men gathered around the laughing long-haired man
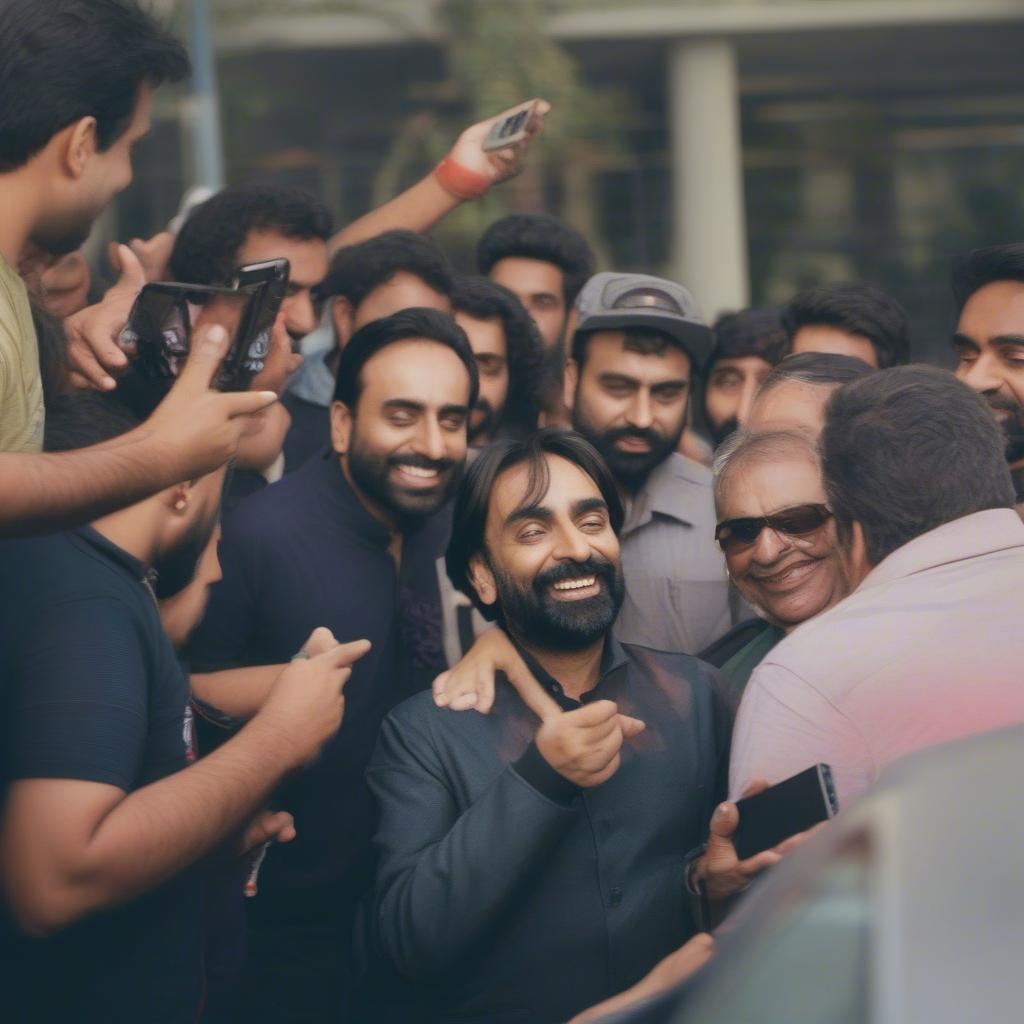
{"points": [[418, 682]]}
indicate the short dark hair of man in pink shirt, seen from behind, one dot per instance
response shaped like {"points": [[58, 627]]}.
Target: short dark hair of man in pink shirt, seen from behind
{"points": [[910, 450]]}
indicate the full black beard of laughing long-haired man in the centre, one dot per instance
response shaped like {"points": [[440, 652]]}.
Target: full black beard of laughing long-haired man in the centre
{"points": [[532, 615]]}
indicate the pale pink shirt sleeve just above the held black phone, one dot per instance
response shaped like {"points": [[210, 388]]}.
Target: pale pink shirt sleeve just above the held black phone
{"points": [[785, 726]]}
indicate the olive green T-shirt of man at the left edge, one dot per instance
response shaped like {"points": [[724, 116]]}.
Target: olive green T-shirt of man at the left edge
{"points": [[22, 413]]}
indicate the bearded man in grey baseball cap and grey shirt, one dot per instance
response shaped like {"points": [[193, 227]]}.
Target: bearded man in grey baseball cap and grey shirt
{"points": [[634, 355]]}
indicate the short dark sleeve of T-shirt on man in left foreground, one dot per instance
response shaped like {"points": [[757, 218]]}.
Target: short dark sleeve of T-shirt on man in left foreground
{"points": [[78, 703]]}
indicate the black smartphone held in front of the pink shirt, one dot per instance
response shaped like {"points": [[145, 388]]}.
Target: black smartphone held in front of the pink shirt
{"points": [[781, 812]]}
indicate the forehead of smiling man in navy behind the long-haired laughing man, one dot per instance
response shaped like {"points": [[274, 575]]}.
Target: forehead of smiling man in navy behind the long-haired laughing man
{"points": [[418, 370]]}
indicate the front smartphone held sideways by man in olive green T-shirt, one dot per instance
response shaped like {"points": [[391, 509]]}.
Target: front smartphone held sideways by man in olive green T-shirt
{"points": [[165, 317]]}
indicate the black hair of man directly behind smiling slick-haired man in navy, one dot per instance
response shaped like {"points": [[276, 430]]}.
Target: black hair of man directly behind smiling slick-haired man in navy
{"points": [[358, 271]]}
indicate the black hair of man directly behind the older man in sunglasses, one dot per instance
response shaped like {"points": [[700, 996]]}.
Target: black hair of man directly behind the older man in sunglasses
{"points": [[858, 308]]}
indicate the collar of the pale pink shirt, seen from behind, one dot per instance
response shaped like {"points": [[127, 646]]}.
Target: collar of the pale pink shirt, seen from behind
{"points": [[970, 537]]}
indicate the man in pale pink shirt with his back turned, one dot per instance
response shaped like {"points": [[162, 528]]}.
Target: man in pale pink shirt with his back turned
{"points": [[930, 645]]}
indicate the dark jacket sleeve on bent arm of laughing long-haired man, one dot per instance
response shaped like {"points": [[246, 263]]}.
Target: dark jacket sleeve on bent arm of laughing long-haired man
{"points": [[445, 877]]}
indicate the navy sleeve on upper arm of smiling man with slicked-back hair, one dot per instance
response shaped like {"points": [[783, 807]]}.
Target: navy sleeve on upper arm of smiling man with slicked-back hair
{"points": [[225, 637]]}
